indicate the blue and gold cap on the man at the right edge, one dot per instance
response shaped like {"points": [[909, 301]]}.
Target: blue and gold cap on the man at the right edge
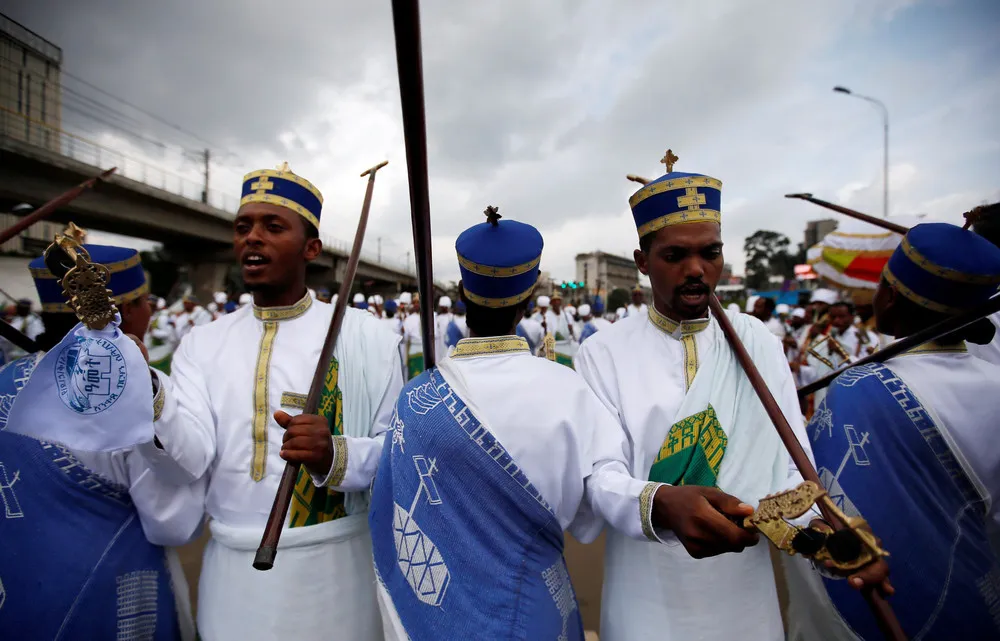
{"points": [[944, 268]]}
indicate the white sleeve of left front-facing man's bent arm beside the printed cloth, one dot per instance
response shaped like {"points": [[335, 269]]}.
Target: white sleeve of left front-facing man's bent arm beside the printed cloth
{"points": [[184, 424]]}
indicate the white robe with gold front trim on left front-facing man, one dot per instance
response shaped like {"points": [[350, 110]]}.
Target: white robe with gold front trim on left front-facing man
{"points": [[322, 582]]}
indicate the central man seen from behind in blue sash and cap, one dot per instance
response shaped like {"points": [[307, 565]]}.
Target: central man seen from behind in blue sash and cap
{"points": [[482, 472]]}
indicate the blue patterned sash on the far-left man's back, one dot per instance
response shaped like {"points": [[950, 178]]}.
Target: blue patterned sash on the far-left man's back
{"points": [[74, 561]]}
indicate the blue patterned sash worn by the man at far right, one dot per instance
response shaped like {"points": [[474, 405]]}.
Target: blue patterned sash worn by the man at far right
{"points": [[880, 454]]}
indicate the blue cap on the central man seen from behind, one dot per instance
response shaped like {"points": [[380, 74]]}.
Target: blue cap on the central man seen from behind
{"points": [[499, 261]]}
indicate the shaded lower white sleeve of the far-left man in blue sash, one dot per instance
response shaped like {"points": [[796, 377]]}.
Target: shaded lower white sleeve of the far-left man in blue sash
{"points": [[171, 515]]}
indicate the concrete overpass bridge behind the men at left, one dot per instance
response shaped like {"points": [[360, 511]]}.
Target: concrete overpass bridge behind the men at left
{"points": [[197, 236]]}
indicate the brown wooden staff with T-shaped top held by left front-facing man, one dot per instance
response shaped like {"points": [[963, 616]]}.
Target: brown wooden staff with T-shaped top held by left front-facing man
{"points": [[268, 549]]}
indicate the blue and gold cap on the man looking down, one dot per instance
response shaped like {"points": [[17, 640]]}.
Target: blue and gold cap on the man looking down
{"points": [[676, 198]]}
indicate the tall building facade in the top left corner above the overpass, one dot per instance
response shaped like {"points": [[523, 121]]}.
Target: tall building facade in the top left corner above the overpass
{"points": [[30, 86]]}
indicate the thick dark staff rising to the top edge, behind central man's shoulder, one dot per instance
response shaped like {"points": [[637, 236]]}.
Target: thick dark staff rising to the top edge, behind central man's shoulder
{"points": [[406, 24]]}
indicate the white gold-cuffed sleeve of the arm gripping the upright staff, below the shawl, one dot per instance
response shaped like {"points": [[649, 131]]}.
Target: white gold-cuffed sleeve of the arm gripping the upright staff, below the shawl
{"points": [[355, 459]]}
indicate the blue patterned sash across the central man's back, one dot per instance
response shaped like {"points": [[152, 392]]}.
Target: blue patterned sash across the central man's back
{"points": [[464, 544]]}
